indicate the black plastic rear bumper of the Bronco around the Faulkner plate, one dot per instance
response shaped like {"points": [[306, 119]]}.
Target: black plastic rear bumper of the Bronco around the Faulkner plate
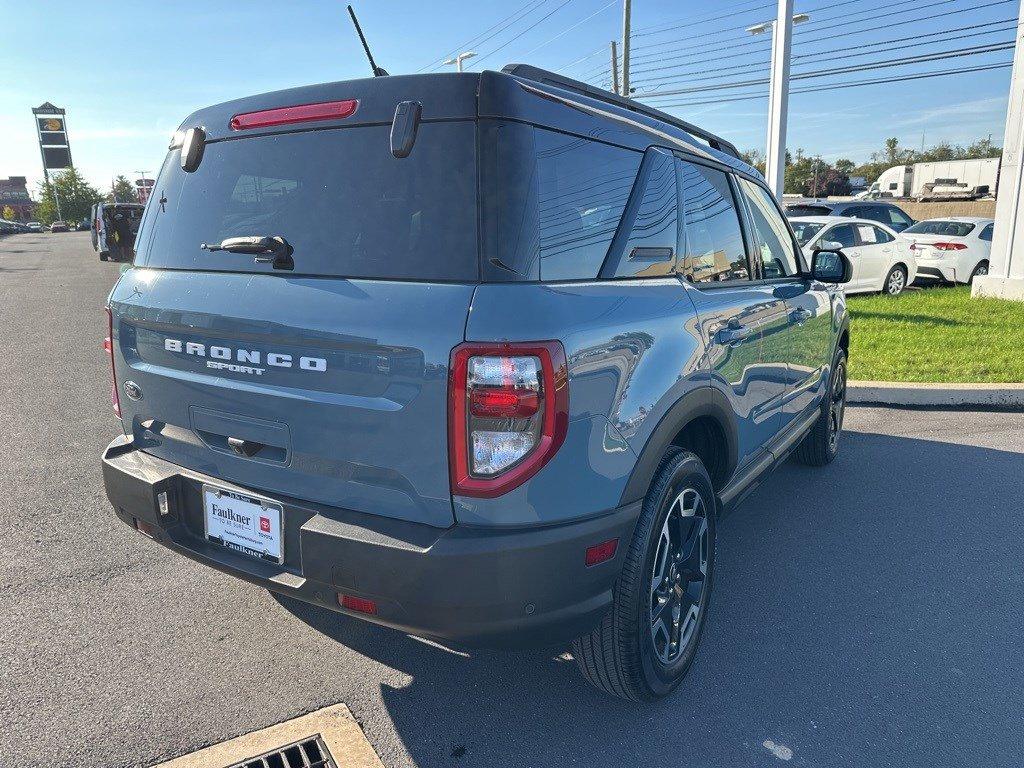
{"points": [[465, 586]]}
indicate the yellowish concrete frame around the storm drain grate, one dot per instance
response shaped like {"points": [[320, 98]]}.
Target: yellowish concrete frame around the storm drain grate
{"points": [[335, 726]]}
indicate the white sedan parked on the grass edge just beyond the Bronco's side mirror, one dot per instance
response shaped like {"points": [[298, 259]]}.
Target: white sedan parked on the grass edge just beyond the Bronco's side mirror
{"points": [[882, 260]]}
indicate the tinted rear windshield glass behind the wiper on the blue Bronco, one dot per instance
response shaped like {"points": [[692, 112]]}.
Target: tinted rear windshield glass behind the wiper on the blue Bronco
{"points": [[342, 200]]}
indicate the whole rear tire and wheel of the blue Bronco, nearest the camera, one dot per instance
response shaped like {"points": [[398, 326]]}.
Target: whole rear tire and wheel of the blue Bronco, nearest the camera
{"points": [[630, 655]]}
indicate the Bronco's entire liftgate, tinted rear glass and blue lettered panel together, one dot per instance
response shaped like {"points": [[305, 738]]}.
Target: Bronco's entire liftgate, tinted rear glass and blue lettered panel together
{"points": [[327, 380]]}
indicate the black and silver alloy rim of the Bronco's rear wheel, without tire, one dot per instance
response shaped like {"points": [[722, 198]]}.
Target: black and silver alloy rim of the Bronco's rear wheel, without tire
{"points": [[679, 576]]}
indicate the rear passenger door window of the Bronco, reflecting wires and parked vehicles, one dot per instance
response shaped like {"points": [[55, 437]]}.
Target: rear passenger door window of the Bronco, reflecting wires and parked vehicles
{"points": [[713, 249]]}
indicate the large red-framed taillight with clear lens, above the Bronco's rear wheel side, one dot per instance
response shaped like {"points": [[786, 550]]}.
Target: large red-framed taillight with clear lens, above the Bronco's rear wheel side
{"points": [[508, 411]]}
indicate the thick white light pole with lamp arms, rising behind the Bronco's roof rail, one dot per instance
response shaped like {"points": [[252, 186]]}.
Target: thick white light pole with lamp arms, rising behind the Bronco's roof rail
{"points": [[779, 92]]}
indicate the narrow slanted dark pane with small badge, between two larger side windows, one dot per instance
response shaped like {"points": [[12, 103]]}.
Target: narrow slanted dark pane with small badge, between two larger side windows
{"points": [[646, 245]]}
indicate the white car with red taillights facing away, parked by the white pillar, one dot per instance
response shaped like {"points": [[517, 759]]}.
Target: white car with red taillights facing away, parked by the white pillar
{"points": [[954, 249]]}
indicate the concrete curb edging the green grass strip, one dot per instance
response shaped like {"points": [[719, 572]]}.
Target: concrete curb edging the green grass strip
{"points": [[935, 396]]}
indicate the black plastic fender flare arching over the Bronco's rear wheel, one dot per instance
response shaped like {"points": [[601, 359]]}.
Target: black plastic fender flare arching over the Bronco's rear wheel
{"points": [[704, 402]]}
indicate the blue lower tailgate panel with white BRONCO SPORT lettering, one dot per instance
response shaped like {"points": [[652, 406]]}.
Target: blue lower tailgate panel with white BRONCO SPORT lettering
{"points": [[356, 419]]}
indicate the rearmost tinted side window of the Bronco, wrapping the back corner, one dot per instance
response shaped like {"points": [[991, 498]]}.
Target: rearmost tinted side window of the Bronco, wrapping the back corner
{"points": [[551, 203]]}
